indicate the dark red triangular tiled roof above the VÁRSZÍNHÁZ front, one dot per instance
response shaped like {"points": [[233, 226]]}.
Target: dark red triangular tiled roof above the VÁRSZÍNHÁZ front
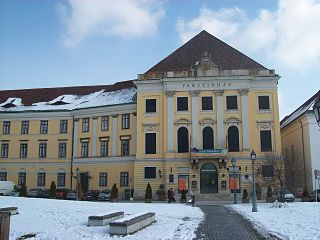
{"points": [[222, 54]]}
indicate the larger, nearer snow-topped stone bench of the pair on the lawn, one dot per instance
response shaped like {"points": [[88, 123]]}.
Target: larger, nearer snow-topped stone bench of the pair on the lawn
{"points": [[131, 224]]}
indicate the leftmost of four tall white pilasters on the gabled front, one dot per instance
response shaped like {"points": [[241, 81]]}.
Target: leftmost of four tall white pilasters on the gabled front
{"points": [[170, 124]]}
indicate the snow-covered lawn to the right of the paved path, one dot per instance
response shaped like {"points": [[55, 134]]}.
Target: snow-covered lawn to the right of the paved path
{"points": [[298, 220]]}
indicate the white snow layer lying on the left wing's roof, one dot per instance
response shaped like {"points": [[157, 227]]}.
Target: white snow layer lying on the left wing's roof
{"points": [[73, 102]]}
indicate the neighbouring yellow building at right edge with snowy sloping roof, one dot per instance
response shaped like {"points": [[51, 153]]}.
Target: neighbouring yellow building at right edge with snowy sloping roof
{"points": [[300, 136]]}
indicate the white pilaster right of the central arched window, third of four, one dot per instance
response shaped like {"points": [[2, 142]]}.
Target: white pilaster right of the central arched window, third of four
{"points": [[220, 126]]}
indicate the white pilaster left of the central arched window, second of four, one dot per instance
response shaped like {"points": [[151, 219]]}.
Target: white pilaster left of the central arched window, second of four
{"points": [[195, 119]]}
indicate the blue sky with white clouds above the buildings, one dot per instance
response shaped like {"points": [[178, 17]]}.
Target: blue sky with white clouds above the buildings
{"points": [[47, 43]]}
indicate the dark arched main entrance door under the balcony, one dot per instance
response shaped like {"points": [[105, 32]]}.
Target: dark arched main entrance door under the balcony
{"points": [[208, 178]]}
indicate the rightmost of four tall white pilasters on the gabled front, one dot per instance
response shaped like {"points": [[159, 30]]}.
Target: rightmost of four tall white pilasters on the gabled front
{"points": [[245, 119]]}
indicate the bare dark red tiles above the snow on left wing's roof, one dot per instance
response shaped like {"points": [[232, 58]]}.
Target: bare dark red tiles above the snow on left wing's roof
{"points": [[30, 96]]}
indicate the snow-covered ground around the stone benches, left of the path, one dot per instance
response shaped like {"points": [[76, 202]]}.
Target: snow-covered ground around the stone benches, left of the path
{"points": [[62, 219]]}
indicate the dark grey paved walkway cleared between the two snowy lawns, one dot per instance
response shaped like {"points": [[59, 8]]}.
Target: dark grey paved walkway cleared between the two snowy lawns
{"points": [[221, 223]]}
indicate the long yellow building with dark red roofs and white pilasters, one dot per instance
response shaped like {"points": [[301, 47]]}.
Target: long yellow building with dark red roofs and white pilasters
{"points": [[179, 124]]}
